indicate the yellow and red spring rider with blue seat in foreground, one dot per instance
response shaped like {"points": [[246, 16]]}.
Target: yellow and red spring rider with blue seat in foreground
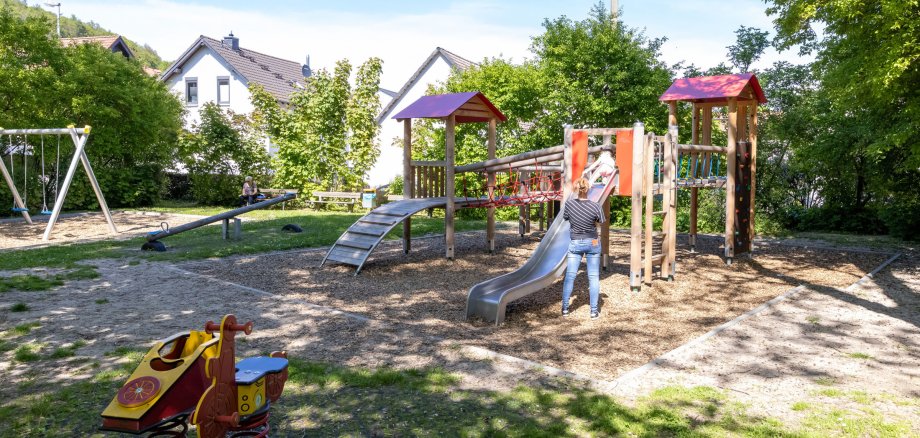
{"points": [[194, 377]]}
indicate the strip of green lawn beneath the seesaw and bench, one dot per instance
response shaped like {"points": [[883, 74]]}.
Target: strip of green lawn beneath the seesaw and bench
{"points": [[261, 233]]}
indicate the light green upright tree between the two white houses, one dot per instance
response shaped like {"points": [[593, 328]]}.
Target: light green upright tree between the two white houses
{"points": [[327, 139]]}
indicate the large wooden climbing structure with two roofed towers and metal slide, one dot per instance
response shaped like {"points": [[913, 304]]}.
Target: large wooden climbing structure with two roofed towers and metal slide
{"points": [[649, 167]]}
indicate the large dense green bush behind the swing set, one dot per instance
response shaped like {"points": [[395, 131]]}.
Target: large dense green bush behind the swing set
{"points": [[134, 117]]}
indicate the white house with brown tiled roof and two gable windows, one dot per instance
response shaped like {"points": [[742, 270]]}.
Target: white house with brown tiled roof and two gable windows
{"points": [[221, 71]]}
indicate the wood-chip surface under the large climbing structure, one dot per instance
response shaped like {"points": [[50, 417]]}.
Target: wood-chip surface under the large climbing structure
{"points": [[424, 296]]}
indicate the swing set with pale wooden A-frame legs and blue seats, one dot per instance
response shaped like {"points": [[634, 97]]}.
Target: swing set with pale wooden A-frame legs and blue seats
{"points": [[18, 142]]}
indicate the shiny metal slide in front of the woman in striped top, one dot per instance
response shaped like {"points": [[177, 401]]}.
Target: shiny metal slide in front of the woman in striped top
{"points": [[489, 298]]}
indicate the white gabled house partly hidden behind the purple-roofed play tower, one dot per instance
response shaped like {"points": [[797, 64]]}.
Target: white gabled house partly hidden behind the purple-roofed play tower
{"points": [[436, 68]]}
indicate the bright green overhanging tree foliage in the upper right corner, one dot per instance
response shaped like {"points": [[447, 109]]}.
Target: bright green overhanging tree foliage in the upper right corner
{"points": [[869, 57]]}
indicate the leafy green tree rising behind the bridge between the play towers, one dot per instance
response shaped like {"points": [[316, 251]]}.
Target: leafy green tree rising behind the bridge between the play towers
{"points": [[584, 73]]}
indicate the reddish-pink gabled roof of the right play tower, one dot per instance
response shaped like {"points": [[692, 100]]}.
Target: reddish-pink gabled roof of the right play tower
{"points": [[743, 86]]}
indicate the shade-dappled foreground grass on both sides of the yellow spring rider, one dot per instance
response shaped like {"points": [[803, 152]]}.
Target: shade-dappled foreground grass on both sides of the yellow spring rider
{"points": [[328, 400]]}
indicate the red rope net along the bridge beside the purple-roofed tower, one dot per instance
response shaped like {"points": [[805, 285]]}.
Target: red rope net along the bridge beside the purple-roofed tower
{"points": [[514, 186]]}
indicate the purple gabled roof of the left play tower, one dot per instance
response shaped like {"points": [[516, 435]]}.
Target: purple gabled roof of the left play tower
{"points": [[466, 107]]}
